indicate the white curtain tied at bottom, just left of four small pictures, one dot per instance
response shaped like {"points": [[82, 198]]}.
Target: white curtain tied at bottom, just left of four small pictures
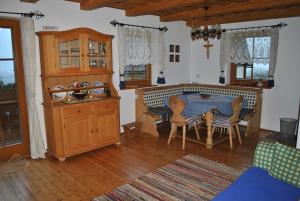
{"points": [[158, 53]]}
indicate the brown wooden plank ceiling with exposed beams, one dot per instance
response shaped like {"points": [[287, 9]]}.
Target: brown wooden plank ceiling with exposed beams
{"points": [[193, 12]]}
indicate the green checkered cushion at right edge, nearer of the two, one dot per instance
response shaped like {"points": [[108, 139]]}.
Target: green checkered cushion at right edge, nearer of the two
{"points": [[286, 164]]}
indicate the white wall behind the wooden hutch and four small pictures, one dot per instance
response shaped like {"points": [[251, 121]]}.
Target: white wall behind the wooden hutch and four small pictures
{"points": [[67, 15]]}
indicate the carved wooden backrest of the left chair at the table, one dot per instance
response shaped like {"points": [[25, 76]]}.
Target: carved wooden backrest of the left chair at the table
{"points": [[177, 106]]}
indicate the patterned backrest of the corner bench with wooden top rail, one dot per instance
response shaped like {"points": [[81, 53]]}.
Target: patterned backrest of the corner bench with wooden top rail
{"points": [[154, 96]]}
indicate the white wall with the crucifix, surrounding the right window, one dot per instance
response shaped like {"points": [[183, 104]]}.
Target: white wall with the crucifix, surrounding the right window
{"points": [[280, 101]]}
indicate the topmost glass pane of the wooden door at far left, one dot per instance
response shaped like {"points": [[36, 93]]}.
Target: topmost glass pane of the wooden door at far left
{"points": [[5, 43]]}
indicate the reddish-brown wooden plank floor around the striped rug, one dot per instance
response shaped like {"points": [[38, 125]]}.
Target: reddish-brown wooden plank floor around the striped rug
{"points": [[85, 176]]}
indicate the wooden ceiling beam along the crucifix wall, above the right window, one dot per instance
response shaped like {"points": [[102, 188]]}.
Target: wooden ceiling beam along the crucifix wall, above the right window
{"points": [[249, 16]]}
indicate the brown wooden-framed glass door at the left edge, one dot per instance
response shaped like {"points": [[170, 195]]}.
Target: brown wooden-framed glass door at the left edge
{"points": [[13, 114]]}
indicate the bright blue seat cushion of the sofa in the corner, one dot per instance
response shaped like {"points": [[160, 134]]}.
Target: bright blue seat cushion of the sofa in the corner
{"points": [[256, 184]]}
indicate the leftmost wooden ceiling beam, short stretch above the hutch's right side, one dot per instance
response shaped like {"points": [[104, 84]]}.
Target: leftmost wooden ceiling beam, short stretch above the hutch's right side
{"points": [[93, 4]]}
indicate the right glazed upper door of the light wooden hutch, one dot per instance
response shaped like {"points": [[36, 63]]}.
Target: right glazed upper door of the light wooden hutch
{"points": [[97, 54]]}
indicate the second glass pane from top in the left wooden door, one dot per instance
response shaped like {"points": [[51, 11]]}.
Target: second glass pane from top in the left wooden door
{"points": [[7, 74]]}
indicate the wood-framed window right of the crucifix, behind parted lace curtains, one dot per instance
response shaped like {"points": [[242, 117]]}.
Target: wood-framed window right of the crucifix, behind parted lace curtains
{"points": [[251, 74]]}
